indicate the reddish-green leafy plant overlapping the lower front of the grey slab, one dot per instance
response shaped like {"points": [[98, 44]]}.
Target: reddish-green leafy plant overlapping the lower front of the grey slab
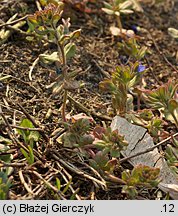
{"points": [[141, 176]]}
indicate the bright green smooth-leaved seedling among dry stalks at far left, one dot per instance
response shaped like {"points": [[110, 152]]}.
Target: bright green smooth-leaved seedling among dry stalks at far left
{"points": [[29, 138]]}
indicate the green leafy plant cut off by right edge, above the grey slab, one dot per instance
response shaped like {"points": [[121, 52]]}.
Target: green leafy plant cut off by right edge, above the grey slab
{"points": [[165, 100]]}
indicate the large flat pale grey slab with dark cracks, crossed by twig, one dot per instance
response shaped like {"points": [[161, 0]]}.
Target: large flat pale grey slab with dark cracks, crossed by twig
{"points": [[139, 140]]}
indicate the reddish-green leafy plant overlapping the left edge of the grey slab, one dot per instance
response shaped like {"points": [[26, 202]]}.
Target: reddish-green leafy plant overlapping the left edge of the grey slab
{"points": [[109, 145]]}
